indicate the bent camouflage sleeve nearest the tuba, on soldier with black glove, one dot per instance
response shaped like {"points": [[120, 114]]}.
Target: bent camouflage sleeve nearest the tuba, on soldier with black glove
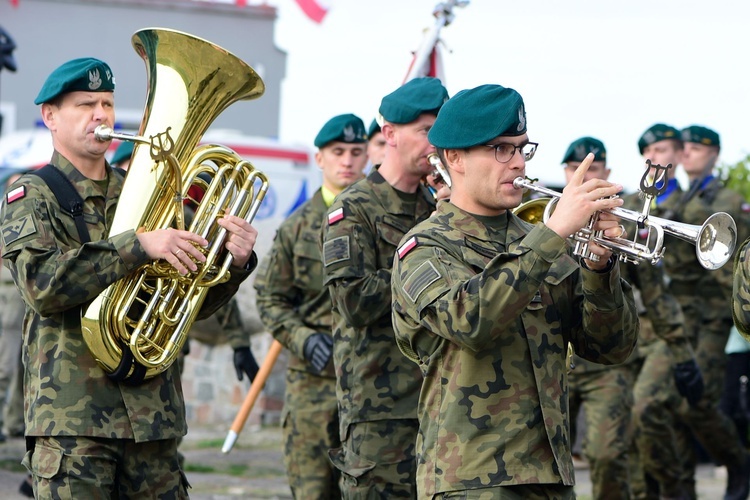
{"points": [[277, 296]]}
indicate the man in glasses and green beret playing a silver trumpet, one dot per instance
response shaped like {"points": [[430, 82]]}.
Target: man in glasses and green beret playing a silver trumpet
{"points": [[486, 304]]}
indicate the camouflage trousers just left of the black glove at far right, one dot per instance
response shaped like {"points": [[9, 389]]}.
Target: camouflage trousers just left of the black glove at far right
{"points": [[655, 422]]}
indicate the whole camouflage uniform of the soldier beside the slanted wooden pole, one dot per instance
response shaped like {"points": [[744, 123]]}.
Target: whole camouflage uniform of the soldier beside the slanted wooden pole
{"points": [[294, 304]]}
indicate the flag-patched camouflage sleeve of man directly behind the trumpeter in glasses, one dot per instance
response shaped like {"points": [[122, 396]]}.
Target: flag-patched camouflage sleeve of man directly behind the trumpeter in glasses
{"points": [[360, 288]]}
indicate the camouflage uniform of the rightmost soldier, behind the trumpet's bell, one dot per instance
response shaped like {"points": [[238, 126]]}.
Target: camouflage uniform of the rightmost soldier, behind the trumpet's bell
{"points": [[705, 300]]}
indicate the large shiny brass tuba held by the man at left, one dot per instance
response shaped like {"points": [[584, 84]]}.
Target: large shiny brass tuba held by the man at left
{"points": [[136, 328]]}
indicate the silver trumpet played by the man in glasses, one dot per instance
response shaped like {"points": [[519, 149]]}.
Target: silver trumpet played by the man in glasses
{"points": [[714, 241]]}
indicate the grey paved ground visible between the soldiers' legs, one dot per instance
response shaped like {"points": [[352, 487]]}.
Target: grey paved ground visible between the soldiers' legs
{"points": [[254, 470]]}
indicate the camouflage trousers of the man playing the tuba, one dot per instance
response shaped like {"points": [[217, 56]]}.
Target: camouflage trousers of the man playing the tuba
{"points": [[79, 467]]}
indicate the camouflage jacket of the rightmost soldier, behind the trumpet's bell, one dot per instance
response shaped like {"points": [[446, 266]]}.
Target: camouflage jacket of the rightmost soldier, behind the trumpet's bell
{"points": [[687, 276]]}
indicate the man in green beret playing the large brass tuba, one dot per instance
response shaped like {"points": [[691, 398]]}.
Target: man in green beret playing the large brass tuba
{"points": [[89, 436]]}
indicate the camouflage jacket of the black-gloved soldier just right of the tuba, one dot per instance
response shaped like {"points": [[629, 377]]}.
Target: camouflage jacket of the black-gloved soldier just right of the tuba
{"points": [[291, 298]]}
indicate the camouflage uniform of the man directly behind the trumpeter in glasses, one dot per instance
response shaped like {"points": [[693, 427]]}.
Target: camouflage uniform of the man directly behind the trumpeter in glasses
{"points": [[377, 387]]}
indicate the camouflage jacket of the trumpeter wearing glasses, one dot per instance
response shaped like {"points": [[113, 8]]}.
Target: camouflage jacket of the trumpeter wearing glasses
{"points": [[488, 315]]}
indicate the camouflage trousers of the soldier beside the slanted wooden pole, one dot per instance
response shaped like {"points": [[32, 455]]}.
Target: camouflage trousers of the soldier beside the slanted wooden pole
{"points": [[310, 427]]}
